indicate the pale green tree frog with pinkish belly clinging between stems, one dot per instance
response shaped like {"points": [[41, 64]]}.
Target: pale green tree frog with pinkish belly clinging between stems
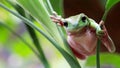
{"points": [[83, 33]]}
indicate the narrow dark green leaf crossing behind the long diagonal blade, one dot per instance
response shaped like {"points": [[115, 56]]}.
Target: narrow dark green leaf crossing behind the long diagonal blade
{"points": [[32, 34]]}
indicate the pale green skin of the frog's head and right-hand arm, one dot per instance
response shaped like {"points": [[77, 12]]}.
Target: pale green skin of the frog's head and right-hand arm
{"points": [[75, 23]]}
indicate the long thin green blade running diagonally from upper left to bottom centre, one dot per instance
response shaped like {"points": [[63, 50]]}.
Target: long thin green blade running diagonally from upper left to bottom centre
{"points": [[73, 63]]}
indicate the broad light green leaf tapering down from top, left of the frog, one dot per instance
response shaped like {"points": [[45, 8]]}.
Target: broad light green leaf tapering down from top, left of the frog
{"points": [[38, 10]]}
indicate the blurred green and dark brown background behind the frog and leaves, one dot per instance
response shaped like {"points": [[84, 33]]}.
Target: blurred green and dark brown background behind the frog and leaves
{"points": [[15, 54]]}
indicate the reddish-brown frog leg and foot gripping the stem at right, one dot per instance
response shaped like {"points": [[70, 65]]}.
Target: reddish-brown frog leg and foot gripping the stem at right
{"points": [[105, 38]]}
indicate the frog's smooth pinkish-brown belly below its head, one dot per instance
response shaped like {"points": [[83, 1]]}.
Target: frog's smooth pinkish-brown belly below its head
{"points": [[84, 43]]}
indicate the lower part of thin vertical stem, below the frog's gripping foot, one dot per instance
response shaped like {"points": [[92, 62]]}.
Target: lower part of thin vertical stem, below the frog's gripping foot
{"points": [[98, 53]]}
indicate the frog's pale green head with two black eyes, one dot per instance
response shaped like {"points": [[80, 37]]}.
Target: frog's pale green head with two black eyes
{"points": [[76, 23]]}
